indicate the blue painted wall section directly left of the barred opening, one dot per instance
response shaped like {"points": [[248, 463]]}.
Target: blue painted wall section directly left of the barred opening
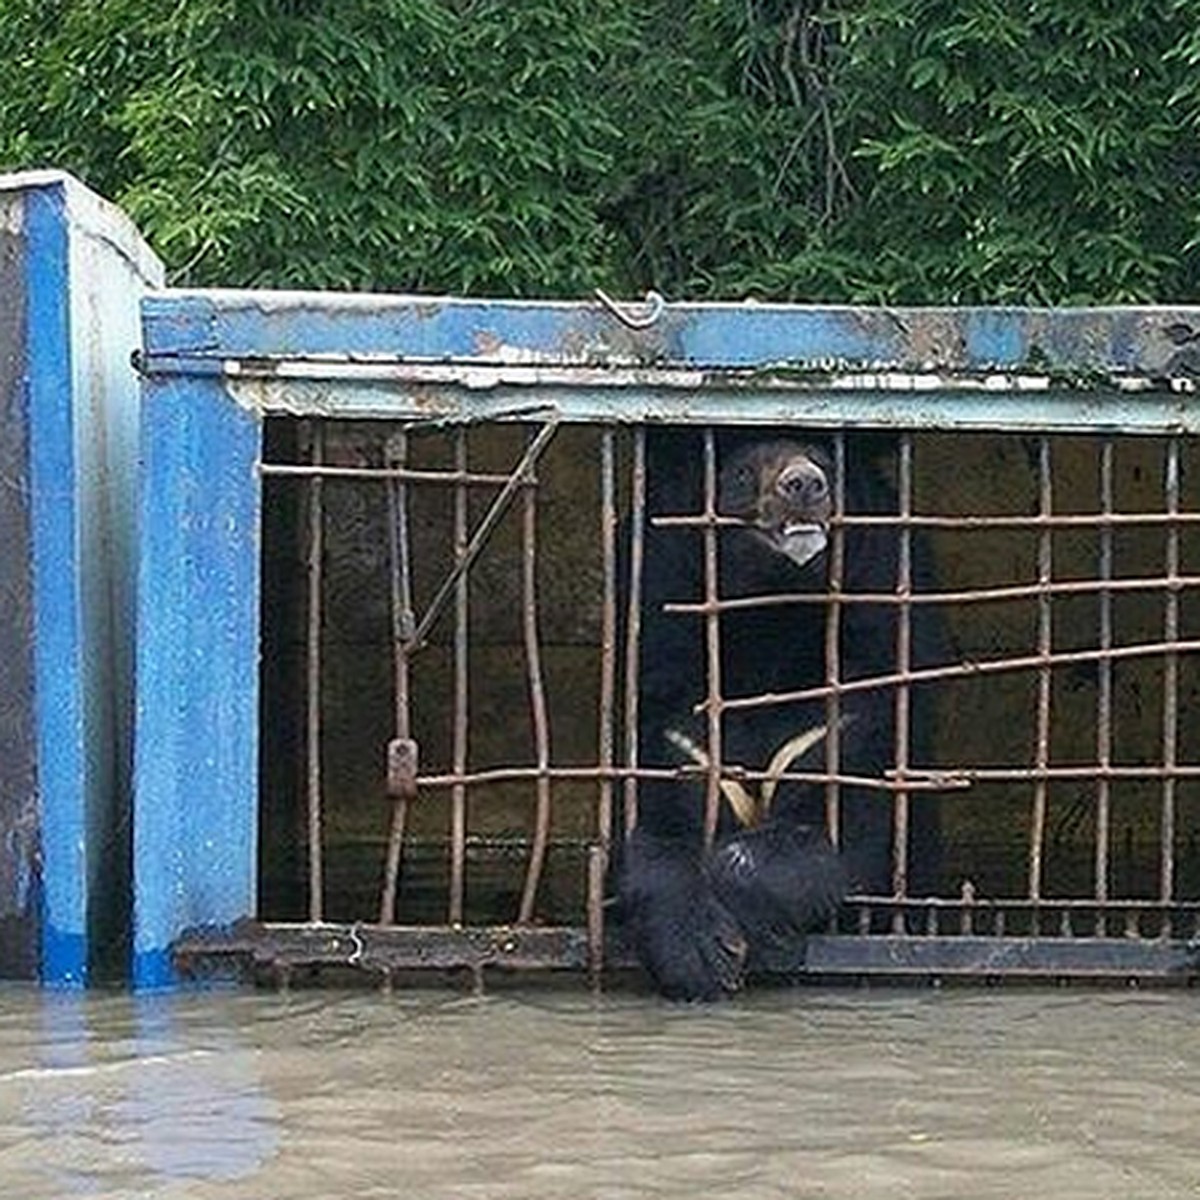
{"points": [[196, 764]]}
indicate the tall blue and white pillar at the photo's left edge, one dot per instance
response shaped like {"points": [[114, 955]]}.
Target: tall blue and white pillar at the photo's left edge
{"points": [[82, 271]]}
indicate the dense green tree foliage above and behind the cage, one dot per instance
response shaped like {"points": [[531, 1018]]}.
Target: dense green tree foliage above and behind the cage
{"points": [[898, 151]]}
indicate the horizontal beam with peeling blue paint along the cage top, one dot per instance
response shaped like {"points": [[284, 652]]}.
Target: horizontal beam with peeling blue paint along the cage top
{"points": [[195, 328]]}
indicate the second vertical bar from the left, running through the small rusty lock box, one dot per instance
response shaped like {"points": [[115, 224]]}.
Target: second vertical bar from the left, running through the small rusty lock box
{"points": [[403, 622]]}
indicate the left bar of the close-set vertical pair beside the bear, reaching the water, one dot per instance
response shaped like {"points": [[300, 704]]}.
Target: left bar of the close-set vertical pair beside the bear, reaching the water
{"points": [[598, 863]]}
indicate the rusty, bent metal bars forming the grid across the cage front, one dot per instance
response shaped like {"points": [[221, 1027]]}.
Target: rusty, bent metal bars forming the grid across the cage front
{"points": [[904, 779]]}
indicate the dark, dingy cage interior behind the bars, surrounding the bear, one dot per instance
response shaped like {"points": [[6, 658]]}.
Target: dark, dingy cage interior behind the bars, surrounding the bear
{"points": [[445, 692]]}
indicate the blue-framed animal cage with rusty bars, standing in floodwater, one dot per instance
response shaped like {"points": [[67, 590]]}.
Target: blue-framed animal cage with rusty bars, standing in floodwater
{"points": [[392, 627]]}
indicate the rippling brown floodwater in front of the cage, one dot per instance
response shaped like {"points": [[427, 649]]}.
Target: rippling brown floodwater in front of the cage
{"points": [[531, 1095]]}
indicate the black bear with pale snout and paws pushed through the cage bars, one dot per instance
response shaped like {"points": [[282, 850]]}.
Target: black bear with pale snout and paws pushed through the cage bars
{"points": [[700, 922]]}
